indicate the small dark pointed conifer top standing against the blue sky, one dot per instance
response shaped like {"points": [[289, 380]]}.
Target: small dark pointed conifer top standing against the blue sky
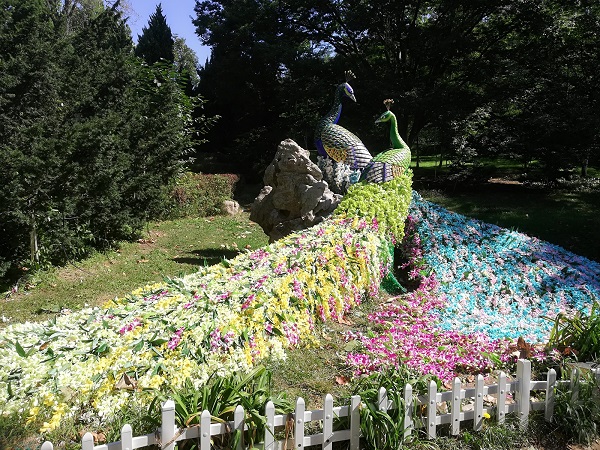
{"points": [[156, 40]]}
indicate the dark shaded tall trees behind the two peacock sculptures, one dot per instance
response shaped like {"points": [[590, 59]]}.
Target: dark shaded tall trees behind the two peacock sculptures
{"points": [[479, 79]]}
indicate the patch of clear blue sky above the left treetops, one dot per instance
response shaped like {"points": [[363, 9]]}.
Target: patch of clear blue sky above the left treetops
{"points": [[178, 14]]}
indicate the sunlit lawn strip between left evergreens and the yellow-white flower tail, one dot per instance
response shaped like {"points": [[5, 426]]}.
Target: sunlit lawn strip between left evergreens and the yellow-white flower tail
{"points": [[168, 249]]}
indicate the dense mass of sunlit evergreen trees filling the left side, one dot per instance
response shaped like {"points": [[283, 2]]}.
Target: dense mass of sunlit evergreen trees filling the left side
{"points": [[90, 137]]}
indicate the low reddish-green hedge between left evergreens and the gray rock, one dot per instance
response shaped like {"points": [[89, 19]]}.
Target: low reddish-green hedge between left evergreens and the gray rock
{"points": [[198, 195]]}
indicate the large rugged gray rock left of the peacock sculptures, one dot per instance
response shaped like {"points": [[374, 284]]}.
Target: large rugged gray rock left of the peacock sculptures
{"points": [[295, 196]]}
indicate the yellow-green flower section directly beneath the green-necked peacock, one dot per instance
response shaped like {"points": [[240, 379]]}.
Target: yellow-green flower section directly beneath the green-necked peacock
{"points": [[385, 202]]}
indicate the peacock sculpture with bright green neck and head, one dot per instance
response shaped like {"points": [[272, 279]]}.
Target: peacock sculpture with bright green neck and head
{"points": [[393, 162]]}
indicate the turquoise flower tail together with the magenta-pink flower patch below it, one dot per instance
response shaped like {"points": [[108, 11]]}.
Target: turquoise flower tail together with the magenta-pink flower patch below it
{"points": [[482, 287]]}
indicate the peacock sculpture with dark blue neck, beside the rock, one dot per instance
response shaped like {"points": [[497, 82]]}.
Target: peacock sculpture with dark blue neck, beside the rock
{"points": [[335, 141]]}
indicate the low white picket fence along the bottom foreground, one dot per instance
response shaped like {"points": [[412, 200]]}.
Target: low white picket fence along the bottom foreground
{"points": [[471, 405]]}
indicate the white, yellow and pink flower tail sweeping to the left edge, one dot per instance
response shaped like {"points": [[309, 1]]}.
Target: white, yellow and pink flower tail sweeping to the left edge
{"points": [[90, 364]]}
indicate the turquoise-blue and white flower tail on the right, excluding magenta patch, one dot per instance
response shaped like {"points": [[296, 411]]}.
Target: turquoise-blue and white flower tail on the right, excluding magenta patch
{"points": [[497, 281]]}
